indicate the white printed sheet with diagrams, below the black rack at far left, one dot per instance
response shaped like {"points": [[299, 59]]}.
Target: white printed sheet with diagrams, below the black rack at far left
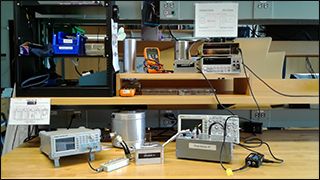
{"points": [[29, 111]]}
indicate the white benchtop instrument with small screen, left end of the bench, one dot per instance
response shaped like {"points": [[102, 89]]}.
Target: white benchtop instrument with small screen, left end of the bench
{"points": [[69, 142]]}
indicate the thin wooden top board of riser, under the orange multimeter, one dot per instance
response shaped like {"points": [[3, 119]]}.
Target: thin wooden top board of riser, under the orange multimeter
{"points": [[177, 76]]}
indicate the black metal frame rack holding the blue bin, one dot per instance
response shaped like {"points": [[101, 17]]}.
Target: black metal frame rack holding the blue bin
{"points": [[29, 27]]}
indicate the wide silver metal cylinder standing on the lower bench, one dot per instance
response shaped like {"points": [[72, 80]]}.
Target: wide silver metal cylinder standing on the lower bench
{"points": [[130, 125]]}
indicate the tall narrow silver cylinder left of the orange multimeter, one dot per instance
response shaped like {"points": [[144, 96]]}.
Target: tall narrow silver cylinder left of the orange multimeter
{"points": [[130, 54]]}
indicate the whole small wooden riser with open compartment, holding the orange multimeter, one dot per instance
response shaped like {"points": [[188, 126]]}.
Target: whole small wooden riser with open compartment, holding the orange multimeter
{"points": [[185, 81]]}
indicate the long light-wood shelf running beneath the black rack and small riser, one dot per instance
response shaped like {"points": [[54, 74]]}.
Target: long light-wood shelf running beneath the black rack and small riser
{"points": [[182, 100]]}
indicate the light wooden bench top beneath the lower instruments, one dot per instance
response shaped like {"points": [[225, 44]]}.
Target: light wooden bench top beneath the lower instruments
{"points": [[299, 149]]}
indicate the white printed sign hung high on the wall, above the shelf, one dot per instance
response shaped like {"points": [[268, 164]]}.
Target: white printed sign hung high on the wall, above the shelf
{"points": [[216, 19]]}
